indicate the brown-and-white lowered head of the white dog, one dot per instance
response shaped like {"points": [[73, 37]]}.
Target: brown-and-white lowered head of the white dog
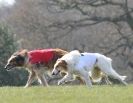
{"points": [[60, 65]]}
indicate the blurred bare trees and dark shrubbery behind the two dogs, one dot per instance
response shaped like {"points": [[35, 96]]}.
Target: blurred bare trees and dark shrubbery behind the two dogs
{"points": [[103, 26]]}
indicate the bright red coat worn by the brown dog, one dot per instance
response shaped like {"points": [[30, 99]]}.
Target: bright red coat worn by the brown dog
{"points": [[40, 56]]}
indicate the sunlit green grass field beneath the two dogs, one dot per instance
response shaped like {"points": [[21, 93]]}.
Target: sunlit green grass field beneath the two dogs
{"points": [[67, 94]]}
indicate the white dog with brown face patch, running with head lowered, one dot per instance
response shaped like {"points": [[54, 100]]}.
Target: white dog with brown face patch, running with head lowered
{"points": [[82, 63]]}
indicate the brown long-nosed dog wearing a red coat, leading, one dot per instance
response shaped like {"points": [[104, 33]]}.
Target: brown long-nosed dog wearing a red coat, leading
{"points": [[37, 62]]}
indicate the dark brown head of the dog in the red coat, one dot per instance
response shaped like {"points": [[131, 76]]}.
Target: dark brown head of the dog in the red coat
{"points": [[16, 60]]}
